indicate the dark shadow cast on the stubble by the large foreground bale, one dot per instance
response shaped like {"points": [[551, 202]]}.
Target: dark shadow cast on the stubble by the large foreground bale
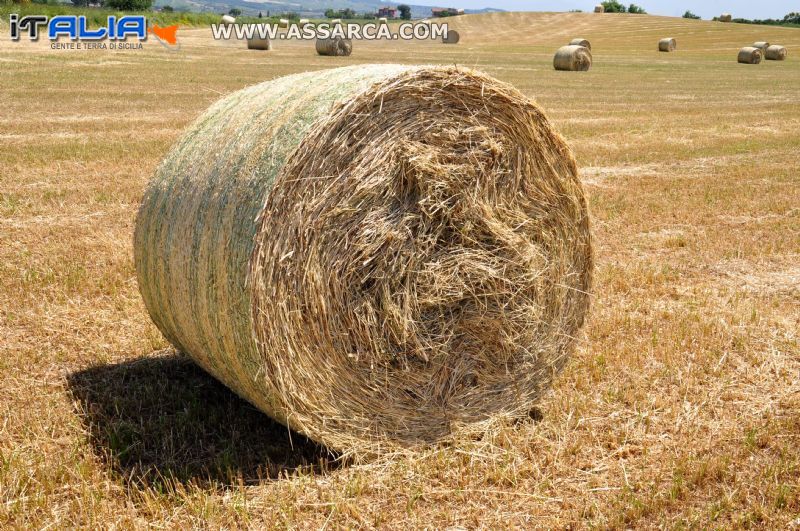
{"points": [[163, 418]]}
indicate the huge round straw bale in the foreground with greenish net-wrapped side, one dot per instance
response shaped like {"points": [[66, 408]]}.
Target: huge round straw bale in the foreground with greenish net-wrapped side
{"points": [[378, 254]]}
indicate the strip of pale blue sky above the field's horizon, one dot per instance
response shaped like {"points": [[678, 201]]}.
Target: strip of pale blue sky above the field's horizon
{"points": [[705, 8]]}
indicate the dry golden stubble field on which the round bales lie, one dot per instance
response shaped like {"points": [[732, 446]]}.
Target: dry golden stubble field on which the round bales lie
{"points": [[680, 409]]}
